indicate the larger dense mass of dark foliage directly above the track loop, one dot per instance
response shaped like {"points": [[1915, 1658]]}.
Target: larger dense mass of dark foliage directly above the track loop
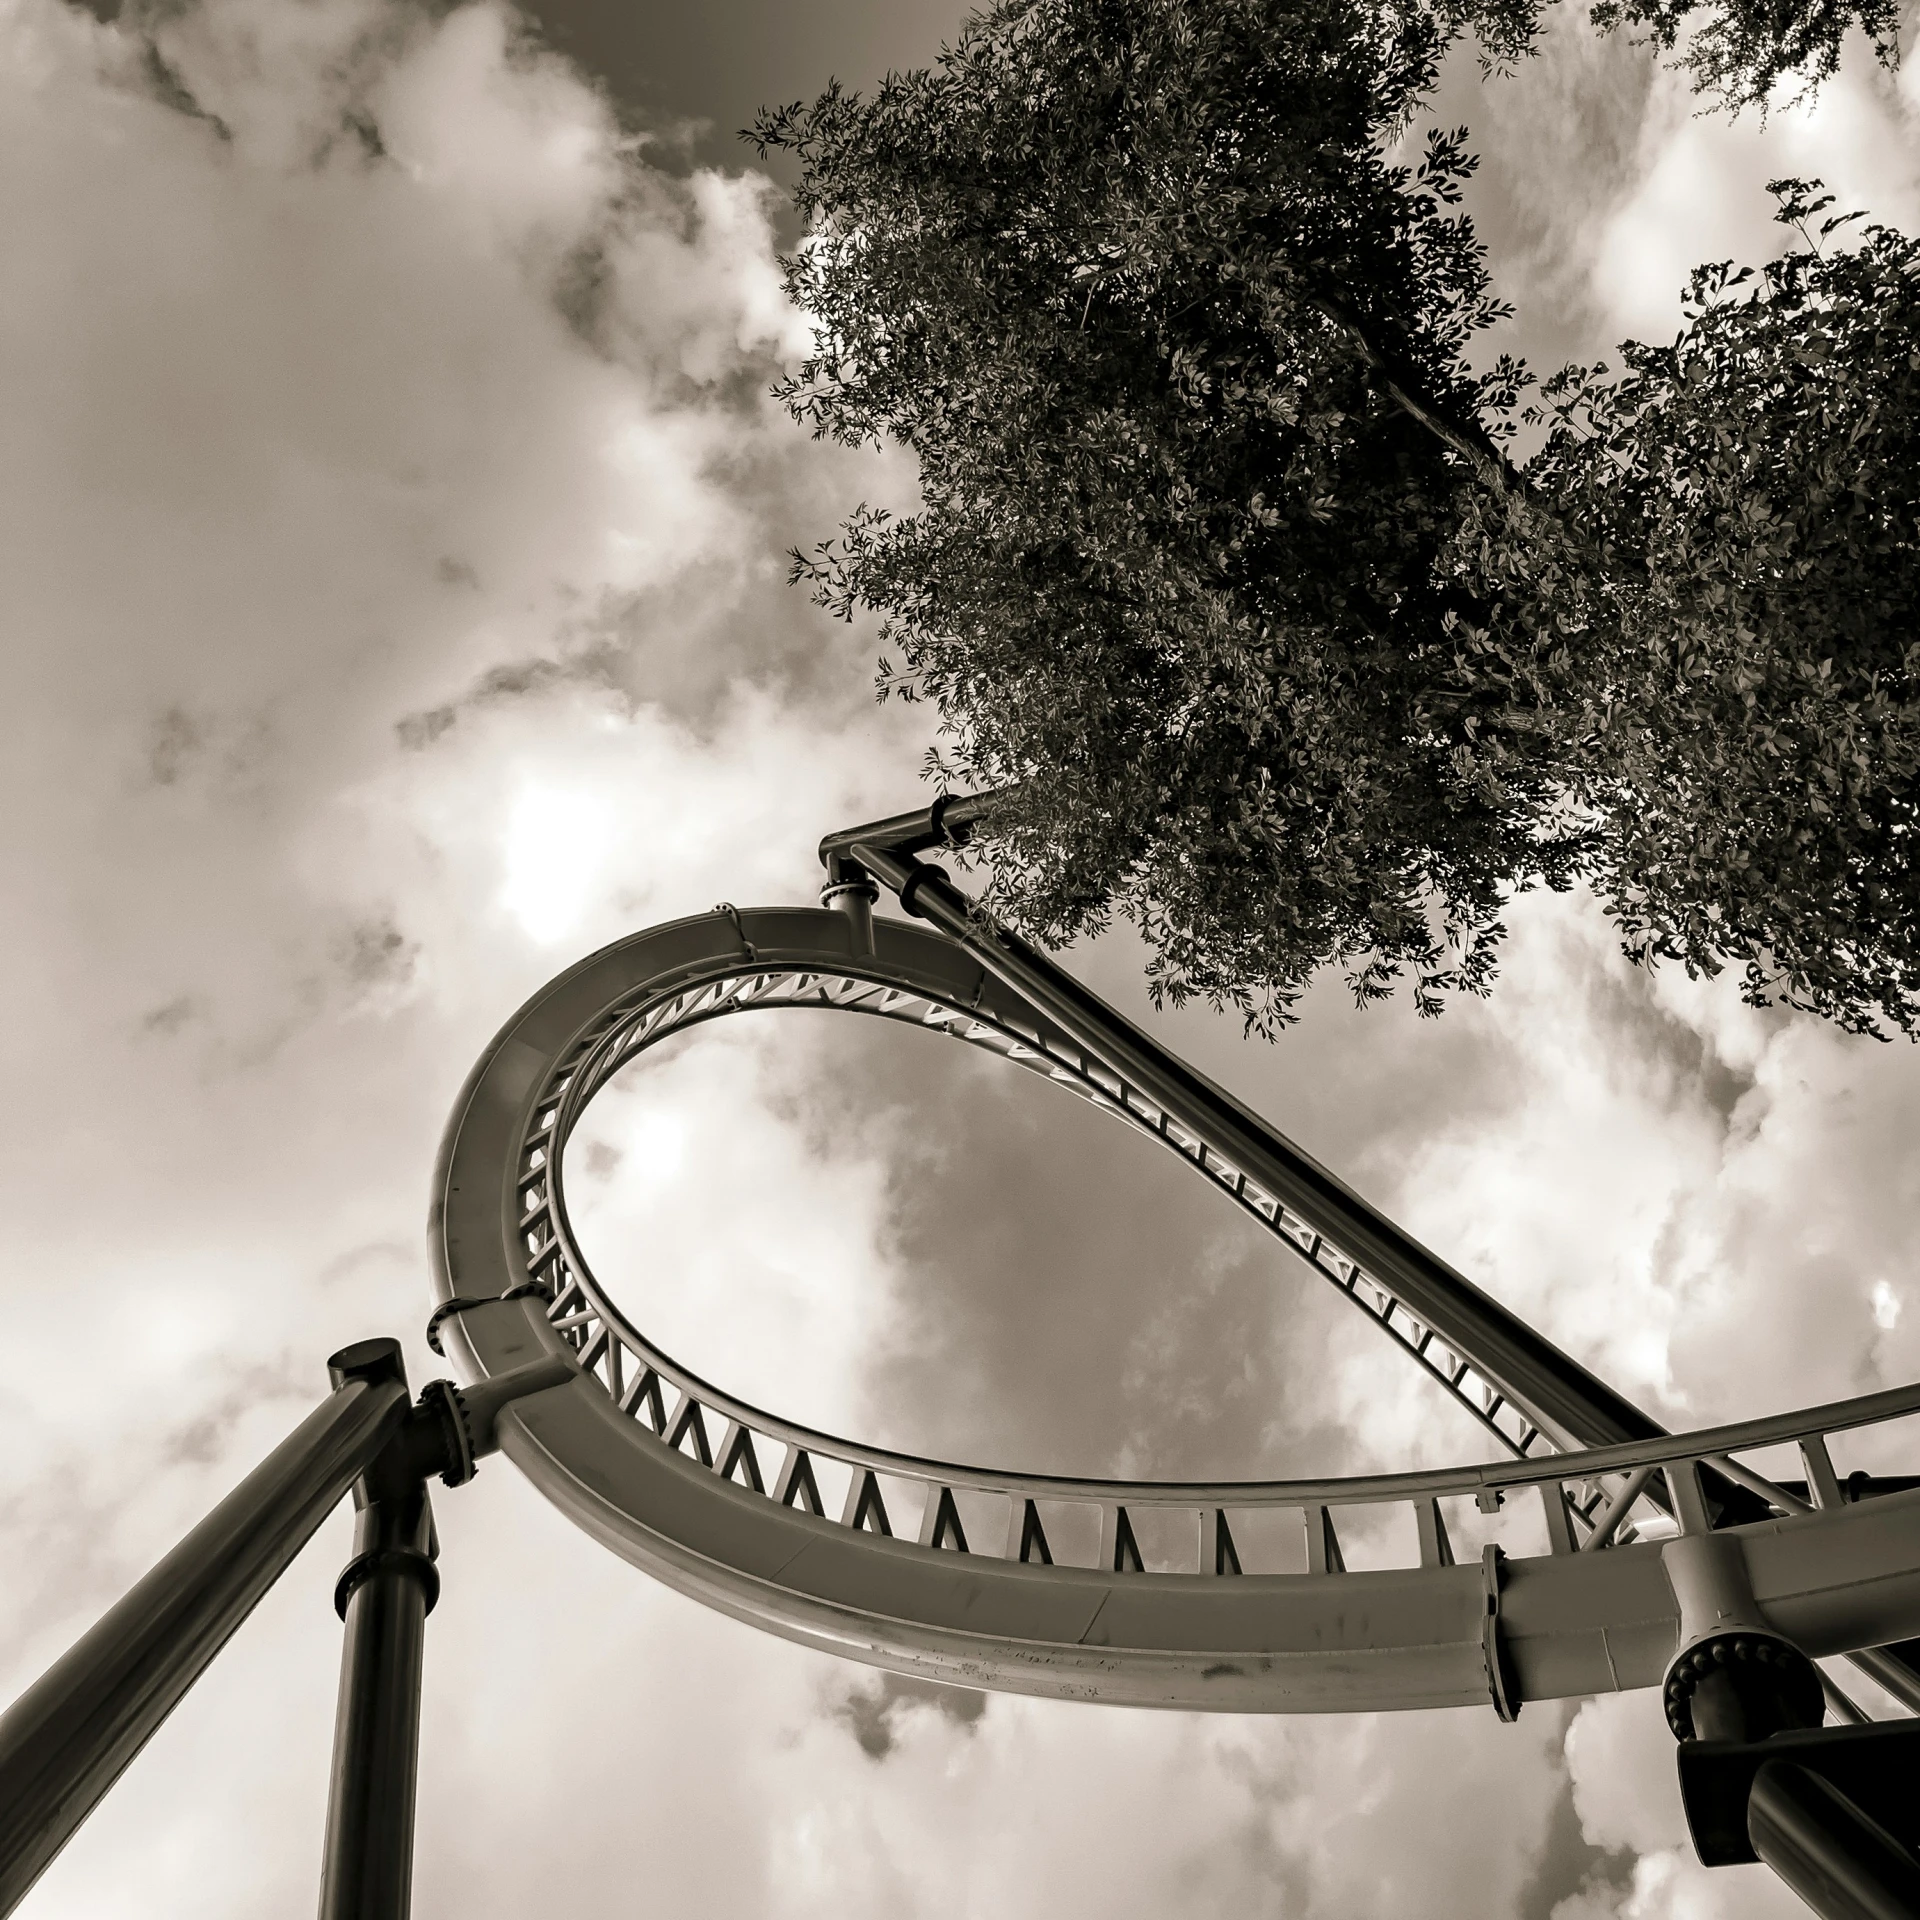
{"points": [[1136, 285]]}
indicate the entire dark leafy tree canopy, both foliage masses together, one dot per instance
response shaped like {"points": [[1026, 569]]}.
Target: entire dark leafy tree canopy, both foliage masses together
{"points": [[1222, 560]]}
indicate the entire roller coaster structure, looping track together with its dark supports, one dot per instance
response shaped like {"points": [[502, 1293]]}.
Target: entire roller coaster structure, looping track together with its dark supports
{"points": [[1610, 1554]]}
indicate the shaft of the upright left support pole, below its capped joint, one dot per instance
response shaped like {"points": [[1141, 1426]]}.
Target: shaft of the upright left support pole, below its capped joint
{"points": [[377, 1739]]}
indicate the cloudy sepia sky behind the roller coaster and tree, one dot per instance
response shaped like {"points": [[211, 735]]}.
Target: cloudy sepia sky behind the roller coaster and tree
{"points": [[395, 519]]}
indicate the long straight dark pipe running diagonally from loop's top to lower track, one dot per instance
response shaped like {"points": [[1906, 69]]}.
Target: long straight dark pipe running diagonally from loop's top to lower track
{"points": [[1556, 1393]]}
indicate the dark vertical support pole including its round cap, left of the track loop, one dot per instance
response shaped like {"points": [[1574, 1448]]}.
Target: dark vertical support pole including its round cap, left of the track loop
{"points": [[385, 1596]]}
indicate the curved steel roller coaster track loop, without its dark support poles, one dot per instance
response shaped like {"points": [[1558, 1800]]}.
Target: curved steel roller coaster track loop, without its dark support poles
{"points": [[798, 1531]]}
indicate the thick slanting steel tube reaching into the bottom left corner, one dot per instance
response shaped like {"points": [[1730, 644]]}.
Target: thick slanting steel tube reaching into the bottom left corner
{"points": [[72, 1735]]}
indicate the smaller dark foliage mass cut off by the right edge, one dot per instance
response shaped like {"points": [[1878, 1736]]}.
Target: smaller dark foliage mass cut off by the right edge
{"points": [[1752, 738]]}
